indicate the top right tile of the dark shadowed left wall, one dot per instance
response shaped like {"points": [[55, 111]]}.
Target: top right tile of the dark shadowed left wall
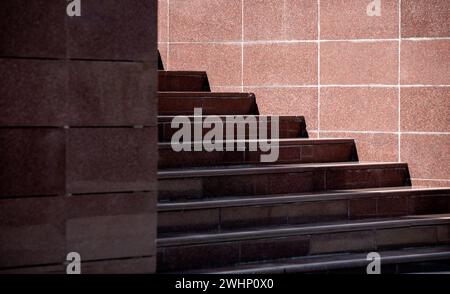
{"points": [[113, 30]]}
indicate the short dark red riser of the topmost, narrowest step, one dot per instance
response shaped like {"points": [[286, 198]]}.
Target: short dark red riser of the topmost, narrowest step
{"points": [[183, 81]]}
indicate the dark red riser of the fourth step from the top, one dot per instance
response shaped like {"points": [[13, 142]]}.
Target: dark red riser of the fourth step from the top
{"points": [[287, 154]]}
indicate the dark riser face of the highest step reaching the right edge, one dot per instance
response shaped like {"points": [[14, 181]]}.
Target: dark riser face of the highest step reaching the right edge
{"points": [[238, 217]]}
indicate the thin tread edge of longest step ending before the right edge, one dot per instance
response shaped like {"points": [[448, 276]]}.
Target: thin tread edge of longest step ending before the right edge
{"points": [[271, 168]]}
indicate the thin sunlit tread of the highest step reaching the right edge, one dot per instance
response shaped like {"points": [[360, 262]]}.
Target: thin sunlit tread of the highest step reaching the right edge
{"points": [[298, 197]]}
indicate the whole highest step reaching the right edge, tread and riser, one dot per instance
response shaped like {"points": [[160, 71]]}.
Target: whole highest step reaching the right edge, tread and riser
{"points": [[277, 210]]}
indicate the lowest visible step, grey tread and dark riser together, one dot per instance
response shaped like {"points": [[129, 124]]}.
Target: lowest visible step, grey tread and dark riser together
{"points": [[423, 259]]}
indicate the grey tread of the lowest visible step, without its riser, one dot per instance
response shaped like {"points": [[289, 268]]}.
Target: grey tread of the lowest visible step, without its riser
{"points": [[332, 261]]}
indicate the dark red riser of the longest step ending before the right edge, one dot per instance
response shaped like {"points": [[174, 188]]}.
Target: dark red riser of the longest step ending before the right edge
{"points": [[282, 183]]}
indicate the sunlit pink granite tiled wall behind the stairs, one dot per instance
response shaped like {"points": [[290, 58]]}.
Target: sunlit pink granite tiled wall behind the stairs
{"points": [[383, 80]]}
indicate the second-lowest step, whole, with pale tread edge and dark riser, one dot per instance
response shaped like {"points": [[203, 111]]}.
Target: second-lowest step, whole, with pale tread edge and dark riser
{"points": [[196, 251]]}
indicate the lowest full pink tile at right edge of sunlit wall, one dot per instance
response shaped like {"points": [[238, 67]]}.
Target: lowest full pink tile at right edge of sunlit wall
{"points": [[428, 156]]}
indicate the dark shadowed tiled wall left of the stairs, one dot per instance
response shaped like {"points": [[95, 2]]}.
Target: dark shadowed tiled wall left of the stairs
{"points": [[78, 136]]}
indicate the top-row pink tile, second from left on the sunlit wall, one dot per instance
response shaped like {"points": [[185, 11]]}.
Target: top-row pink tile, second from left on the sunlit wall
{"points": [[280, 20]]}
